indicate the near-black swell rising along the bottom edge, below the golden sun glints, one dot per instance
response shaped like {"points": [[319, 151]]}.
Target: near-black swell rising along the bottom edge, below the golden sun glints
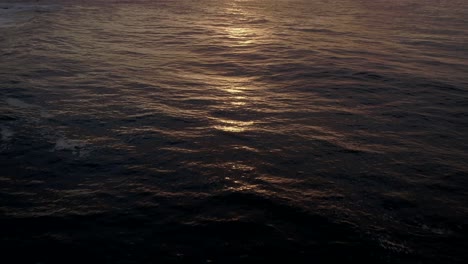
{"points": [[266, 231]]}
